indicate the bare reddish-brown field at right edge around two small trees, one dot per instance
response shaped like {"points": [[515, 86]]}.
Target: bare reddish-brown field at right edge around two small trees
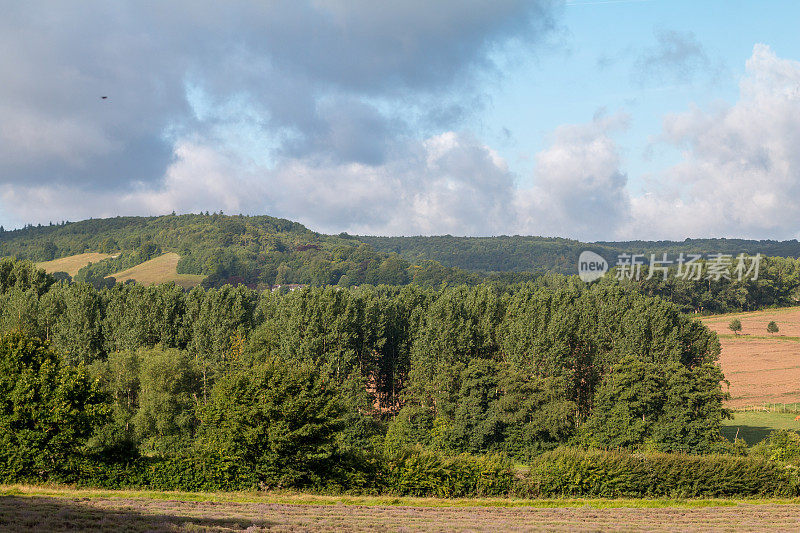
{"points": [[762, 368]]}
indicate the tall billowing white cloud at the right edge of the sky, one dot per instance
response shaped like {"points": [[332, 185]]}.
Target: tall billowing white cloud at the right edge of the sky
{"points": [[740, 172]]}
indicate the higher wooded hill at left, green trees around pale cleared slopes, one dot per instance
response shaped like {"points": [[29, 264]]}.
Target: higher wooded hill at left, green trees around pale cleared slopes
{"points": [[257, 251]]}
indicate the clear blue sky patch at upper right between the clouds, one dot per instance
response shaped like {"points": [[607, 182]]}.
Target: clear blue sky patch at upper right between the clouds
{"points": [[591, 66]]}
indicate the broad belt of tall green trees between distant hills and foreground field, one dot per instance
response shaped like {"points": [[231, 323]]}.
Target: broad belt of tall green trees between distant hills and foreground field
{"points": [[403, 389]]}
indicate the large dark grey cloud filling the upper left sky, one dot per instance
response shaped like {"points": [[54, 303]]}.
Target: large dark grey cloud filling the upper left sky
{"points": [[321, 80]]}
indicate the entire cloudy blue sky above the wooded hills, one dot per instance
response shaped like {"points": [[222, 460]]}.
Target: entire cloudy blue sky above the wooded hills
{"points": [[587, 119]]}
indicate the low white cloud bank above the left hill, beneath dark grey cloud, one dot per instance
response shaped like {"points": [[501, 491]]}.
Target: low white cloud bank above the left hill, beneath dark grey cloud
{"points": [[449, 183]]}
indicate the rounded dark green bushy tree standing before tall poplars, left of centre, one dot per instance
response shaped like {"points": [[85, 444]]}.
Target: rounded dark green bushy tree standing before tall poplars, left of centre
{"points": [[276, 418]]}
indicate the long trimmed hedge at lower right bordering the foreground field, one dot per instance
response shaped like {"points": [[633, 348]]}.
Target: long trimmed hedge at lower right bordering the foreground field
{"points": [[599, 473]]}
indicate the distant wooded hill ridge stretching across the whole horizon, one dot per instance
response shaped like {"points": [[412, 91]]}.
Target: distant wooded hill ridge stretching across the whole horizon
{"points": [[263, 251]]}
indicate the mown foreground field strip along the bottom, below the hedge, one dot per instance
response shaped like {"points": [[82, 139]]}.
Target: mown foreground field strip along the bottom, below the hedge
{"points": [[48, 509]]}
